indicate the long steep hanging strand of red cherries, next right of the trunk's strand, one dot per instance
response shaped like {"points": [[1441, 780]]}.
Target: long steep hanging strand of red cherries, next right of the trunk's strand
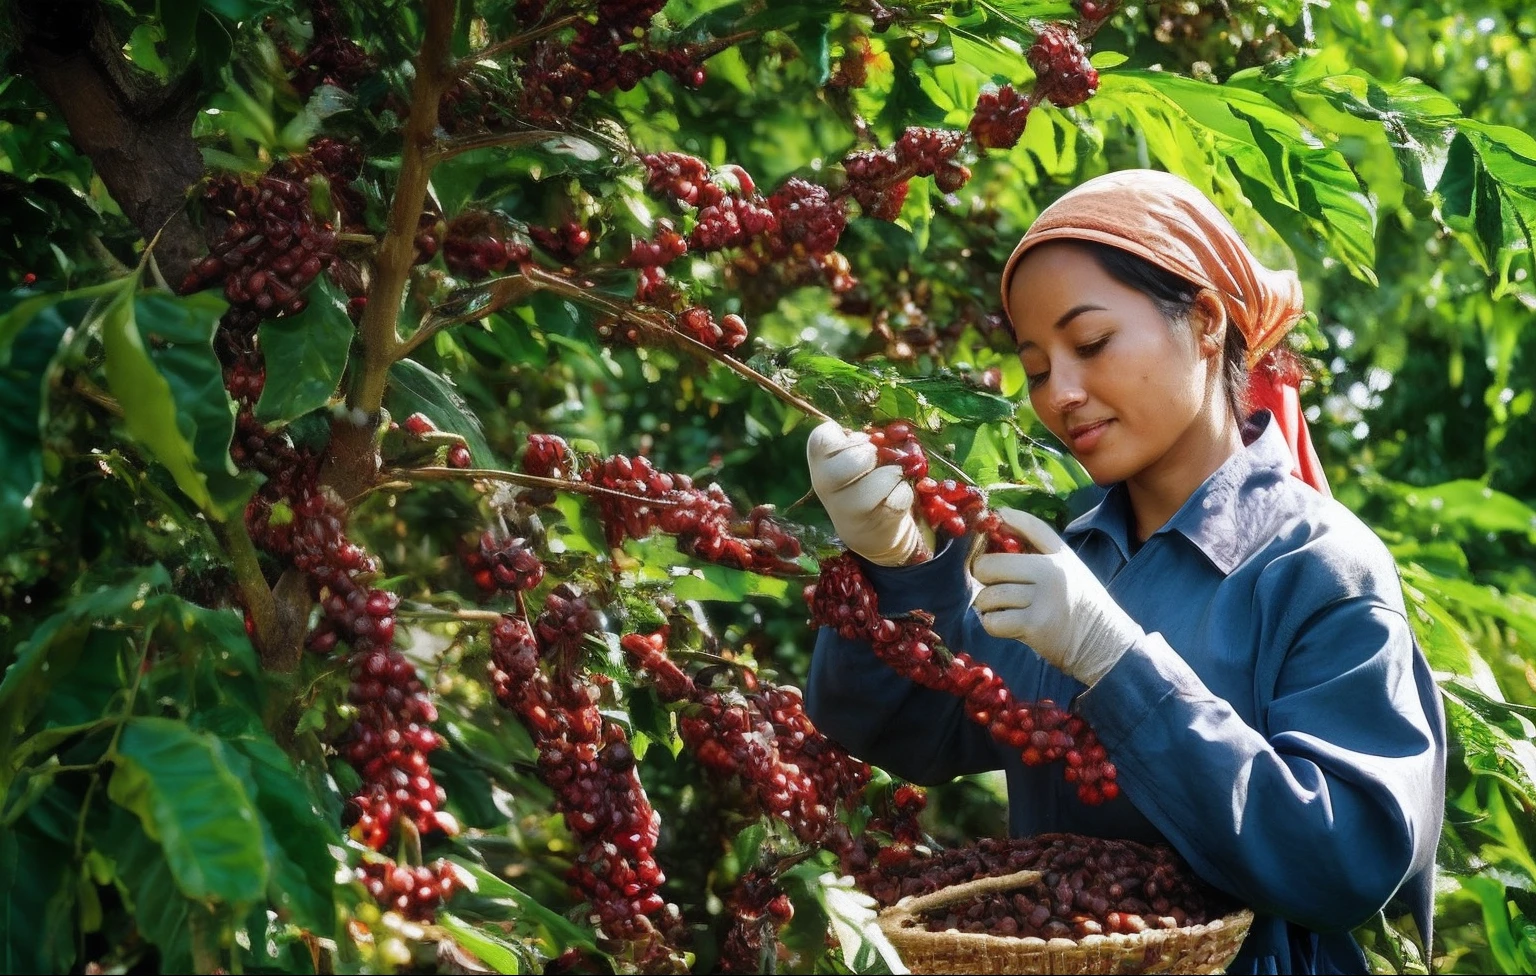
{"points": [[589, 765]]}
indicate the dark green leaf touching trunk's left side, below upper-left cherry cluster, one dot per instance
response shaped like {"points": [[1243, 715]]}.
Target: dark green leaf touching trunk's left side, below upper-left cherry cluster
{"points": [[305, 356]]}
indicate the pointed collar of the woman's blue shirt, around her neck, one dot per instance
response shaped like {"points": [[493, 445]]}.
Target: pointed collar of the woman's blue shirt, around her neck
{"points": [[1211, 517]]}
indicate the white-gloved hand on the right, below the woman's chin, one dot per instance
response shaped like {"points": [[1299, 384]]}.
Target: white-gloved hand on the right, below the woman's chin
{"points": [[1053, 602]]}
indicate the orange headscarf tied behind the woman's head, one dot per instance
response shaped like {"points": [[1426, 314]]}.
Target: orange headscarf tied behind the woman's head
{"points": [[1168, 222]]}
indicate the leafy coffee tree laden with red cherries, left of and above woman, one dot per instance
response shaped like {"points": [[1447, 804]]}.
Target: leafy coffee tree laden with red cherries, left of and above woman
{"points": [[406, 556]]}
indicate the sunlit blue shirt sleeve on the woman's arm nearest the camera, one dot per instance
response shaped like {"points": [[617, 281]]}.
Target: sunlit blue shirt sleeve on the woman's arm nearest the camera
{"points": [[1323, 815]]}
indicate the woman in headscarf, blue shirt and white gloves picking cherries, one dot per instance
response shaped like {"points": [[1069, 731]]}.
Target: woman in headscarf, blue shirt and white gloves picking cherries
{"points": [[1237, 639]]}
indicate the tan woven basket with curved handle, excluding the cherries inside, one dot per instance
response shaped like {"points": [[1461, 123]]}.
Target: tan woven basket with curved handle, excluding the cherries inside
{"points": [[1193, 949]]}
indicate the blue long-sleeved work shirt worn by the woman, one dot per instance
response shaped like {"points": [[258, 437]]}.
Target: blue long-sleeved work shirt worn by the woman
{"points": [[1277, 725]]}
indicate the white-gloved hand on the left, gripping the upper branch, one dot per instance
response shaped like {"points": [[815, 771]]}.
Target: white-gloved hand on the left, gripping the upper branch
{"points": [[870, 503]]}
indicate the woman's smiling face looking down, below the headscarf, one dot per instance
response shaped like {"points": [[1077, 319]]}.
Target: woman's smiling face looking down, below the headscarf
{"points": [[1108, 374]]}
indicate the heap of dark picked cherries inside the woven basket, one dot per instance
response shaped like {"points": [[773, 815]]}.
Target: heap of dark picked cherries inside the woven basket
{"points": [[1087, 886]]}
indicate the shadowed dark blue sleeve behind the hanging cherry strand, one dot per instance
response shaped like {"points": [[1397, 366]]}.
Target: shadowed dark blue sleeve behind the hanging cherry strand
{"points": [[918, 734]]}
